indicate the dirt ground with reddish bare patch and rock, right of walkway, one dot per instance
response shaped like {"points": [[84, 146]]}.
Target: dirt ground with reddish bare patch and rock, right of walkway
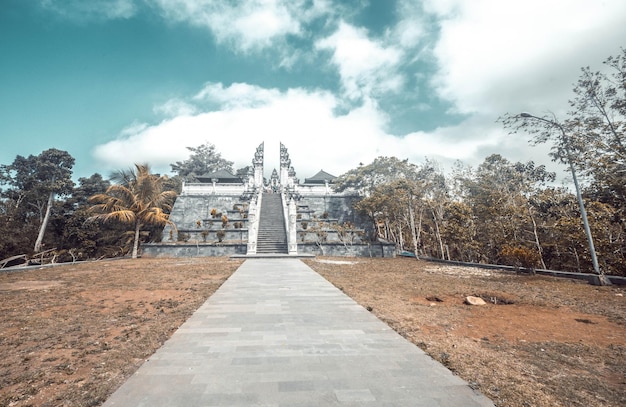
{"points": [[539, 341]]}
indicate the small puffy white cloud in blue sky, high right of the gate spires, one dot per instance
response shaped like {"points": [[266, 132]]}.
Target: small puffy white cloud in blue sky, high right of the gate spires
{"points": [[366, 67]]}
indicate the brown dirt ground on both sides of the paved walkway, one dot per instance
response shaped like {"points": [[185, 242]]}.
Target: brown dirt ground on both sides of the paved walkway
{"points": [[70, 335]]}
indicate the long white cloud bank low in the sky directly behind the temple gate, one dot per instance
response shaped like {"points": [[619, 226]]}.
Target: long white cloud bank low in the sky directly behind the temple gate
{"points": [[303, 120]]}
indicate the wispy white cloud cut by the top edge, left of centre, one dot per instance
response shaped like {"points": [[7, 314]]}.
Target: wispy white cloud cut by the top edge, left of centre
{"points": [[248, 24]]}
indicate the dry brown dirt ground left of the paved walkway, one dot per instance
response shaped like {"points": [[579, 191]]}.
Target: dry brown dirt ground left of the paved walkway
{"points": [[70, 335]]}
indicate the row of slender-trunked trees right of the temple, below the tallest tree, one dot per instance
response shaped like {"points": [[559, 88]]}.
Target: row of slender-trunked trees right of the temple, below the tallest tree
{"points": [[501, 212]]}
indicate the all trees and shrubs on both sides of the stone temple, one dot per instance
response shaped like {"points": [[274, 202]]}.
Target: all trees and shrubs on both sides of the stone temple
{"points": [[499, 212]]}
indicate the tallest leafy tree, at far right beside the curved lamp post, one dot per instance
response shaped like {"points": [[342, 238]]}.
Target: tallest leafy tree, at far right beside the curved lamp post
{"points": [[591, 139]]}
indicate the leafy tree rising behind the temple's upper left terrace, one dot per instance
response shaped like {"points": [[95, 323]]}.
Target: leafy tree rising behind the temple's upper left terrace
{"points": [[203, 159]]}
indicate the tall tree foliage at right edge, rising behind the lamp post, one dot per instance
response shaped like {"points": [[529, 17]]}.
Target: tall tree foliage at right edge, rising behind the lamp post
{"points": [[591, 139]]}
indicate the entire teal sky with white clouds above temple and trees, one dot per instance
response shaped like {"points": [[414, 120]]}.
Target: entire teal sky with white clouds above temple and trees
{"points": [[339, 83]]}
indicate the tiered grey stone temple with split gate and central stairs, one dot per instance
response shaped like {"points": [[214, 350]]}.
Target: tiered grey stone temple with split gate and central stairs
{"points": [[223, 214]]}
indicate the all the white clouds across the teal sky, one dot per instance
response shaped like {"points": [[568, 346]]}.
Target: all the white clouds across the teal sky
{"points": [[494, 57]]}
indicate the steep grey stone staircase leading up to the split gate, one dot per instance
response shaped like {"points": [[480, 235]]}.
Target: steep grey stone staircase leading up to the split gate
{"points": [[272, 237]]}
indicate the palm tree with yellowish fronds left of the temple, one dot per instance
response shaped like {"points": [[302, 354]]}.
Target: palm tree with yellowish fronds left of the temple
{"points": [[139, 200]]}
